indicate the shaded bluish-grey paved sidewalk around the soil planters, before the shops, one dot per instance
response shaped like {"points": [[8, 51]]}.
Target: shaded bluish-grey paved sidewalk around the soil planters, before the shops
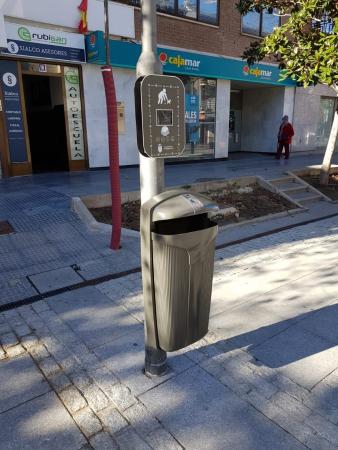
{"points": [[52, 250]]}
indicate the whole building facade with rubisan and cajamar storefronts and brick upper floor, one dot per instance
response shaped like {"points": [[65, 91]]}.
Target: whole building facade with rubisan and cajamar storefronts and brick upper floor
{"points": [[53, 114]]}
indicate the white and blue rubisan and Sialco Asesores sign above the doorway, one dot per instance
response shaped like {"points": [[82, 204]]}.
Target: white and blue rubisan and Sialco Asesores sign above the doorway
{"points": [[43, 43]]}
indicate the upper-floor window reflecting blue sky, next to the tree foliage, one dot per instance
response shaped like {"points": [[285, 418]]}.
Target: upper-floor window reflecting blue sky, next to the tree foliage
{"points": [[260, 23]]}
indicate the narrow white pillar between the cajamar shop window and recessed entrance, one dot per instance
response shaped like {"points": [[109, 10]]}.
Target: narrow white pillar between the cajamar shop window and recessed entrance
{"points": [[222, 118]]}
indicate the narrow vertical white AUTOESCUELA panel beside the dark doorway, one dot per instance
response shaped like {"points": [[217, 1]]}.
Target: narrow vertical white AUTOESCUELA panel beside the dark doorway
{"points": [[74, 113]]}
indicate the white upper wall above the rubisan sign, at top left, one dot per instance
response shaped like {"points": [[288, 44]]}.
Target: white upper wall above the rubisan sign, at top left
{"points": [[65, 13]]}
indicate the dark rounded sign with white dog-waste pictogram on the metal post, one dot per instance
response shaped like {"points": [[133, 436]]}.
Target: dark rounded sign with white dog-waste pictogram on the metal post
{"points": [[160, 116]]}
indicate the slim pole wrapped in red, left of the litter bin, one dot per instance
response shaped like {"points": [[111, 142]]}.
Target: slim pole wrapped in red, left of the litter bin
{"points": [[114, 164]]}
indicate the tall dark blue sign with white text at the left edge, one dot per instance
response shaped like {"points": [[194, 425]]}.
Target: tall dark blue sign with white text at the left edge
{"points": [[9, 82]]}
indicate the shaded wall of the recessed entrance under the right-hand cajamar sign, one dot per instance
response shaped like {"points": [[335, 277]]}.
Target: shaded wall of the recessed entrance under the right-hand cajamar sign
{"points": [[262, 112]]}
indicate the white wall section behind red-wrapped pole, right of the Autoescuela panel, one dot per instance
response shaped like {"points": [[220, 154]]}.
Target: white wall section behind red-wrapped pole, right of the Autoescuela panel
{"points": [[96, 116]]}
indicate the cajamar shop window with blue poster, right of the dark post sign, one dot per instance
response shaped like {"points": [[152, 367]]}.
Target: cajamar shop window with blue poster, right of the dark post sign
{"points": [[200, 117]]}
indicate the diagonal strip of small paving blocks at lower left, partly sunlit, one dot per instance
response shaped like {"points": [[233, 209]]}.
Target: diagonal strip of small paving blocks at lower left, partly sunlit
{"points": [[104, 409]]}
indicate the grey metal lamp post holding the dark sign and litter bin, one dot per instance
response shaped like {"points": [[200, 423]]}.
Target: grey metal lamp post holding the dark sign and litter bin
{"points": [[151, 169]]}
